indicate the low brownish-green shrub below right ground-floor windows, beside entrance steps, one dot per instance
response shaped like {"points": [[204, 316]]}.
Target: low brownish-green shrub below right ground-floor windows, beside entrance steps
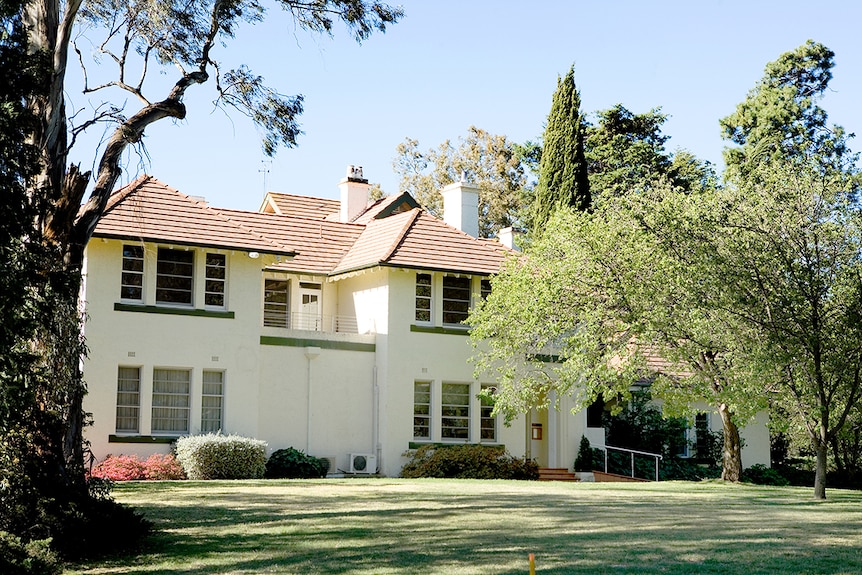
{"points": [[467, 462]]}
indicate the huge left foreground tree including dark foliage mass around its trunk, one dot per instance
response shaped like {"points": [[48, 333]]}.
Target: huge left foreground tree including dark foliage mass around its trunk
{"points": [[46, 227]]}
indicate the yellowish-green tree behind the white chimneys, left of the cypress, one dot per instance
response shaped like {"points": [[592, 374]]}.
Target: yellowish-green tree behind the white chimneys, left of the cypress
{"points": [[491, 162]]}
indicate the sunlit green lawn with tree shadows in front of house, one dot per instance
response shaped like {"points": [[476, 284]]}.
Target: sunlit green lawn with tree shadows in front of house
{"points": [[395, 526]]}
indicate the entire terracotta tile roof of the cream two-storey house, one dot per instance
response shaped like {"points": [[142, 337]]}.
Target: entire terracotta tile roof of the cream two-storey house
{"points": [[384, 234]]}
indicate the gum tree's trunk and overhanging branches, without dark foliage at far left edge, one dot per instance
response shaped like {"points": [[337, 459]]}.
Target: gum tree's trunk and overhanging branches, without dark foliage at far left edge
{"points": [[140, 38]]}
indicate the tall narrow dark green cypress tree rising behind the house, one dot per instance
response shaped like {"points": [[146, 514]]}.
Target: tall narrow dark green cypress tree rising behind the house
{"points": [[563, 177]]}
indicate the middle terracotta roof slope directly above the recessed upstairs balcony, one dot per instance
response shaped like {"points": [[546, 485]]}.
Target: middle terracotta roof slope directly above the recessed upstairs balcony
{"points": [[319, 244]]}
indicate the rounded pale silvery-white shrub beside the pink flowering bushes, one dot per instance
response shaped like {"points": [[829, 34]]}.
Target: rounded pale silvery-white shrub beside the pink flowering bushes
{"points": [[216, 456]]}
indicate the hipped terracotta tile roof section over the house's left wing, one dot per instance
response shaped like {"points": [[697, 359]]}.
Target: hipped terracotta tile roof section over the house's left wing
{"points": [[147, 209]]}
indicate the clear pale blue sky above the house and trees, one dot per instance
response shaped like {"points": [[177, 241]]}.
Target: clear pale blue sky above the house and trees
{"points": [[494, 64]]}
